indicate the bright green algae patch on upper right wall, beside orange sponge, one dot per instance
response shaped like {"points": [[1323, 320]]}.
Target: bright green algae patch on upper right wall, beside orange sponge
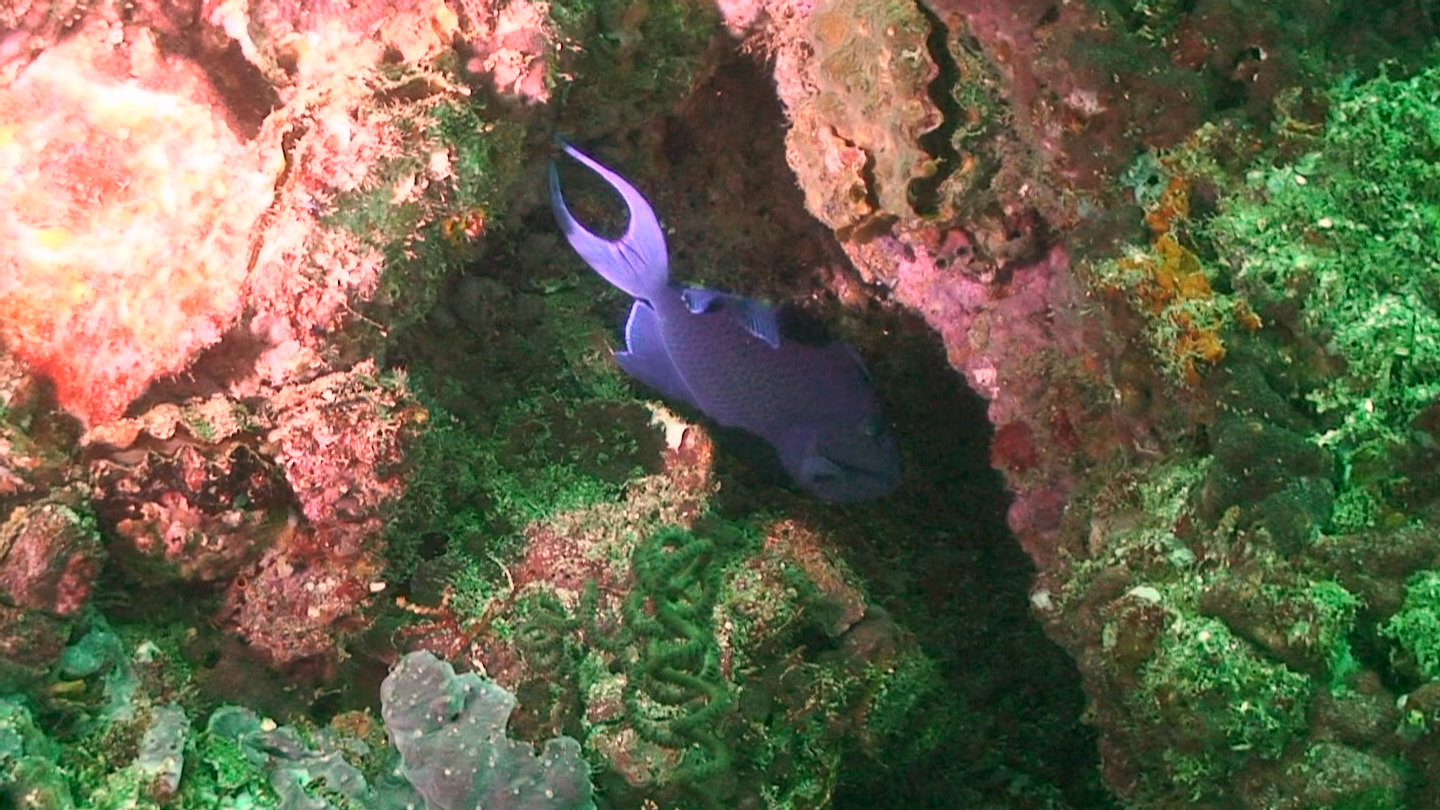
{"points": [[1343, 246]]}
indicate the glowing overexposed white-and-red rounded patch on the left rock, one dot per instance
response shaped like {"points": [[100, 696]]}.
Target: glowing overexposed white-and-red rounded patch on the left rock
{"points": [[90, 296]]}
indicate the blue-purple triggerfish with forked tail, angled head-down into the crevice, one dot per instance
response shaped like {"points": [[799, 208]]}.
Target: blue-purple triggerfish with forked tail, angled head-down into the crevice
{"points": [[726, 357]]}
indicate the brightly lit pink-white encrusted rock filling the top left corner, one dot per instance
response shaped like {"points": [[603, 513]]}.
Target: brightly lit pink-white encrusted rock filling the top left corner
{"points": [[165, 171]]}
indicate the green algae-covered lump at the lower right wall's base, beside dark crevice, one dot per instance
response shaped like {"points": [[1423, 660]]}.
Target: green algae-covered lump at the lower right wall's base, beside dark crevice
{"points": [[1226, 665]]}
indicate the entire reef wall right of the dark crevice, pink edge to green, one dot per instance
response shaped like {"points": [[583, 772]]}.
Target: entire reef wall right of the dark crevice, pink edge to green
{"points": [[1180, 410]]}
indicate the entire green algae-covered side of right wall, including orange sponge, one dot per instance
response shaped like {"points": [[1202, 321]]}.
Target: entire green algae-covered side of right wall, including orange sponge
{"points": [[1248, 592]]}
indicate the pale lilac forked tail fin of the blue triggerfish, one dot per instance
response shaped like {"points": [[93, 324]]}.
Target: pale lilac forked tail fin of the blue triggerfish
{"points": [[636, 263]]}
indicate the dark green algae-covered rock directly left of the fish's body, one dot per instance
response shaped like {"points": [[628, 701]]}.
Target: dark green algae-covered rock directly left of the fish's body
{"points": [[508, 445]]}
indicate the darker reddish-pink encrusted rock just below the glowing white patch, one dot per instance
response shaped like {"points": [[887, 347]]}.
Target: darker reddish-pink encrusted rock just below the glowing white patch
{"points": [[282, 507]]}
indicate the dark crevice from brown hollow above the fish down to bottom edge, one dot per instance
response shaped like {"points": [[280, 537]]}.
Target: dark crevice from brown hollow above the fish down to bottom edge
{"points": [[938, 556]]}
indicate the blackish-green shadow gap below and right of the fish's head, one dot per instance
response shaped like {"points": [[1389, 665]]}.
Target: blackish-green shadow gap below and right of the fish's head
{"points": [[1004, 729]]}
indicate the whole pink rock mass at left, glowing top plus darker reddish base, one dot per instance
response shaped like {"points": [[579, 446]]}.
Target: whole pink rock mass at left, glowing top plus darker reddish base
{"points": [[185, 316]]}
